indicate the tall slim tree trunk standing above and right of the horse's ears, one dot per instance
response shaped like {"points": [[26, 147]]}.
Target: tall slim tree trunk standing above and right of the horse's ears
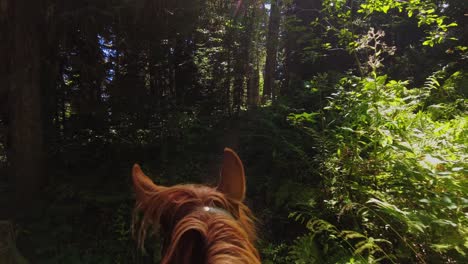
{"points": [[271, 51]]}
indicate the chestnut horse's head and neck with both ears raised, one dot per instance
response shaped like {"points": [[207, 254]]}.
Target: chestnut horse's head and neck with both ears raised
{"points": [[193, 233]]}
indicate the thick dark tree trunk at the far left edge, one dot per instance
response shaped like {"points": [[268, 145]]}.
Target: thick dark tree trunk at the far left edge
{"points": [[27, 153]]}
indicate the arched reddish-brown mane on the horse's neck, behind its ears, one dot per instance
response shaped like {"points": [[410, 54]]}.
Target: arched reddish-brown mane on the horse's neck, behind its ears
{"points": [[202, 237]]}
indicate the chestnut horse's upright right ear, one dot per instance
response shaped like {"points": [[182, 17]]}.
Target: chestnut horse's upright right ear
{"points": [[232, 182]]}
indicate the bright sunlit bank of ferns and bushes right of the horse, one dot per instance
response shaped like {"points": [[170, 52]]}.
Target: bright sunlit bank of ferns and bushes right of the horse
{"points": [[399, 169]]}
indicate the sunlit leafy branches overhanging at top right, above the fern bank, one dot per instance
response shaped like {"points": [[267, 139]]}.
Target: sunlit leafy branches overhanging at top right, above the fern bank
{"points": [[420, 24]]}
